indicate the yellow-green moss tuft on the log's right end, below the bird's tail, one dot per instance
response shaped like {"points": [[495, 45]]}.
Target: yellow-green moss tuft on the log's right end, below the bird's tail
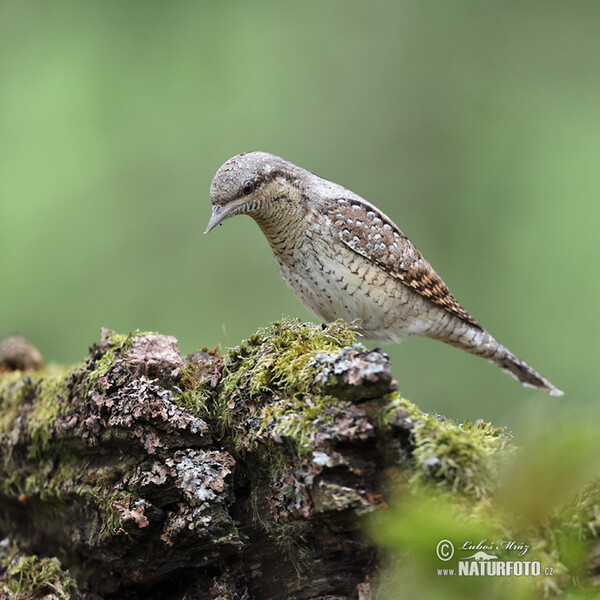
{"points": [[463, 458]]}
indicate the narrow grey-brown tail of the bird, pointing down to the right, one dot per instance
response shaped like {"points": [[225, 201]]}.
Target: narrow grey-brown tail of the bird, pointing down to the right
{"points": [[480, 343]]}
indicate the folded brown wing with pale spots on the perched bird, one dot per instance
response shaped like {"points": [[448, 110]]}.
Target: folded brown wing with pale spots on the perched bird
{"points": [[370, 233]]}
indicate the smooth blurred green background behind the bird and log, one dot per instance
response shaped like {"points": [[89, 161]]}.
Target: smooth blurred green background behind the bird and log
{"points": [[474, 125]]}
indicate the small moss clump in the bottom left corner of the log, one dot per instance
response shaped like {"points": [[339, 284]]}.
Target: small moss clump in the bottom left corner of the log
{"points": [[36, 577]]}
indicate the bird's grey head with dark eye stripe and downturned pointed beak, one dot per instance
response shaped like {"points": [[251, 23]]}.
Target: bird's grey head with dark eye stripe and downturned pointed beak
{"points": [[248, 183]]}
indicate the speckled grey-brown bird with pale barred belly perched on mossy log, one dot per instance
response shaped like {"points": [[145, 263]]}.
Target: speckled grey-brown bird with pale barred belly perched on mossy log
{"points": [[345, 259]]}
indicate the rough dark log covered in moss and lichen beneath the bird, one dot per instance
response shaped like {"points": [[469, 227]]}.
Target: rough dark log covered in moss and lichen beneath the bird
{"points": [[239, 476]]}
